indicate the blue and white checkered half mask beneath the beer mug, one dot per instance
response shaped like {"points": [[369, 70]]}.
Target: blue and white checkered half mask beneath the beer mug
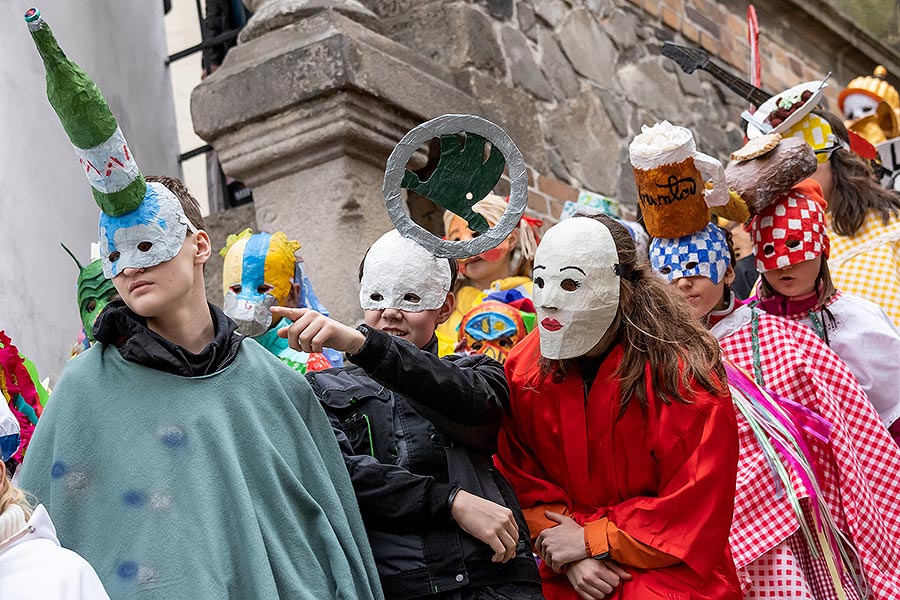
{"points": [[703, 253]]}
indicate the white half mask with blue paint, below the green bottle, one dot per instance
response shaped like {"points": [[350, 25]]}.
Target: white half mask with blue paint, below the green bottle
{"points": [[151, 234]]}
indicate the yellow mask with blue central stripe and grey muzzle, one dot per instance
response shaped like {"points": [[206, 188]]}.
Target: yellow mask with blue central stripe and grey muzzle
{"points": [[259, 273]]}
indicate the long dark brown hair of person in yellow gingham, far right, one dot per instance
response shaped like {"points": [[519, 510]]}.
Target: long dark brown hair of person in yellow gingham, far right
{"points": [[855, 191]]}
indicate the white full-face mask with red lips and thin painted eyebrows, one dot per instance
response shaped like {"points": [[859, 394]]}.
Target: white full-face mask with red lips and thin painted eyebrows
{"points": [[576, 288]]}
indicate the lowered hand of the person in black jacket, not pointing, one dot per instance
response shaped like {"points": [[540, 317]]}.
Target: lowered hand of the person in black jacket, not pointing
{"points": [[487, 521]]}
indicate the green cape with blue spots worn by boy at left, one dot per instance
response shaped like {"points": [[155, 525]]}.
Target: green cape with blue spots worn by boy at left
{"points": [[229, 485]]}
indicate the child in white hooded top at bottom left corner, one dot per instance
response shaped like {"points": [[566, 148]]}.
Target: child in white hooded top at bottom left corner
{"points": [[33, 566]]}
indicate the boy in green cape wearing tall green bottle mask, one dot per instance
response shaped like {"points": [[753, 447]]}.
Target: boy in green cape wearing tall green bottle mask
{"points": [[181, 459]]}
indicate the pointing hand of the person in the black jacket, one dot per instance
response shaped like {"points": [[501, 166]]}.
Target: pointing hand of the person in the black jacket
{"points": [[311, 331]]}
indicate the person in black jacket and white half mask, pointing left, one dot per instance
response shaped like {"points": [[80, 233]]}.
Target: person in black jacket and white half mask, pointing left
{"points": [[418, 433]]}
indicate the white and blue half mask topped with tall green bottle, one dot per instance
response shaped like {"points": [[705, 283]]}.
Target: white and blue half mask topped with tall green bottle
{"points": [[142, 225]]}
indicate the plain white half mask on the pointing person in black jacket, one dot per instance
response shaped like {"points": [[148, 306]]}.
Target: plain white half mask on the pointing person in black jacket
{"points": [[399, 273]]}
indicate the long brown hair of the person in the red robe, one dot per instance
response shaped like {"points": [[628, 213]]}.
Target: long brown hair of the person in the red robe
{"points": [[655, 327]]}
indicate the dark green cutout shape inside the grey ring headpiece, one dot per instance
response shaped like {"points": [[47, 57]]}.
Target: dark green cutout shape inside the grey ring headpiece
{"points": [[462, 177]]}
